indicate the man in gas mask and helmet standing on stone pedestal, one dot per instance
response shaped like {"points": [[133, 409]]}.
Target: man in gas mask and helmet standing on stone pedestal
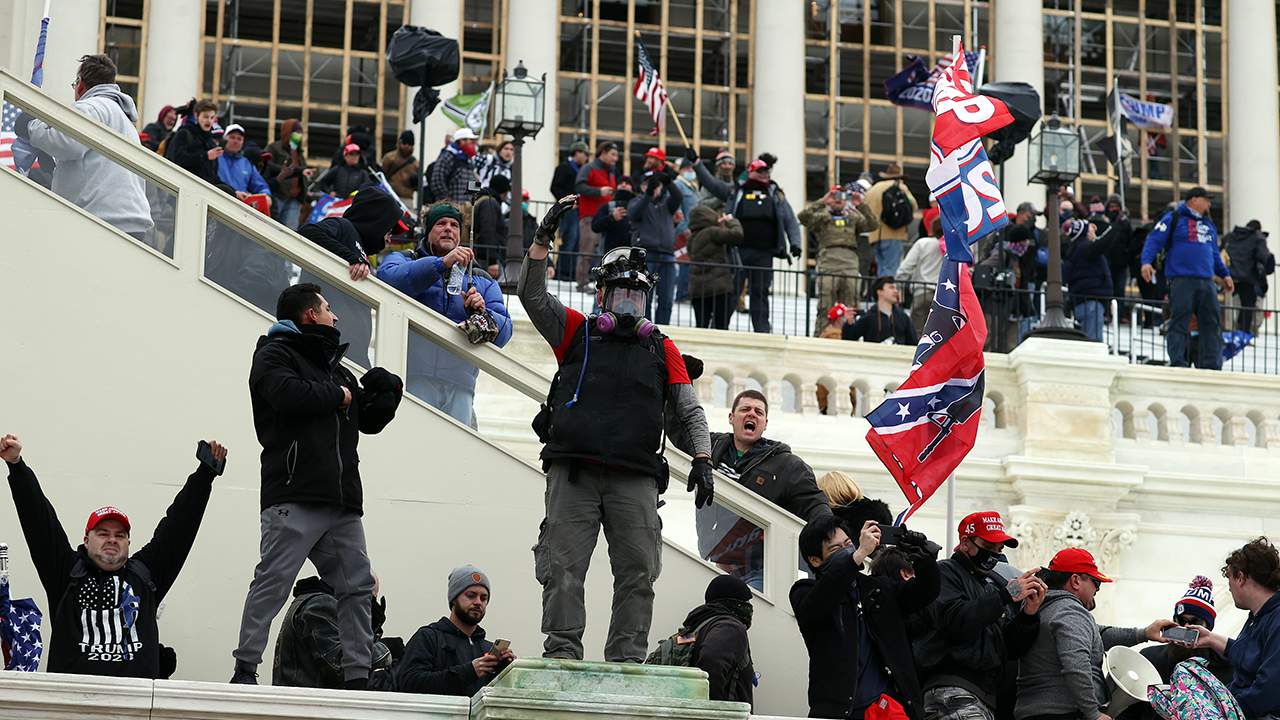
{"points": [[602, 434]]}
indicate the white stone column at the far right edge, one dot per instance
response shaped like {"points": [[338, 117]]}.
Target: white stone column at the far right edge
{"points": [[1254, 124]]}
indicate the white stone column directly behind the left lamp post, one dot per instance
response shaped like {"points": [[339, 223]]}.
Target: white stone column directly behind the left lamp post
{"points": [[533, 38]]}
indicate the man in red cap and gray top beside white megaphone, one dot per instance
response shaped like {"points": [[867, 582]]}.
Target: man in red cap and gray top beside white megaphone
{"points": [[1062, 675]]}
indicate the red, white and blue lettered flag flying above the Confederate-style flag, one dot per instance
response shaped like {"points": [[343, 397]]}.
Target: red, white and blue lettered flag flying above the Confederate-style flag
{"points": [[961, 177]]}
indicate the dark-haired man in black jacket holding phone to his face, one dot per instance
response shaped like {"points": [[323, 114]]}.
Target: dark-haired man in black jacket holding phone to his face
{"points": [[854, 625]]}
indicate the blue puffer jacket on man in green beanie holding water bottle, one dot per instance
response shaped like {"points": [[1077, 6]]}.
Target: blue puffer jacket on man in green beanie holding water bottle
{"points": [[423, 279]]}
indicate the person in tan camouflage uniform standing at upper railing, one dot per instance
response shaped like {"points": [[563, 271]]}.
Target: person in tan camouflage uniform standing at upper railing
{"points": [[835, 222]]}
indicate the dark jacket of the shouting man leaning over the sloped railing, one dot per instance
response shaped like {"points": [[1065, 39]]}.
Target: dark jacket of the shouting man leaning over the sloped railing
{"points": [[772, 472]]}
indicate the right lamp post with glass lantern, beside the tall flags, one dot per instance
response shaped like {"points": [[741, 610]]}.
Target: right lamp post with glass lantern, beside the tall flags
{"points": [[1054, 161]]}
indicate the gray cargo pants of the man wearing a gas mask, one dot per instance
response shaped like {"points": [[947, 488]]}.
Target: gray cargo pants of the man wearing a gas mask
{"points": [[580, 499]]}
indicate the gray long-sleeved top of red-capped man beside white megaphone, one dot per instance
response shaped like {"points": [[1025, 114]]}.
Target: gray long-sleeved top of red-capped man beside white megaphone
{"points": [[1062, 675]]}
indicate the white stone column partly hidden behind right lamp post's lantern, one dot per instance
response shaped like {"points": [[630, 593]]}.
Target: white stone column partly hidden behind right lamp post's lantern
{"points": [[1020, 54]]}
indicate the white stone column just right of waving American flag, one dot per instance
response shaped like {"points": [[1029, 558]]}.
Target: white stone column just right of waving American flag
{"points": [[778, 99]]}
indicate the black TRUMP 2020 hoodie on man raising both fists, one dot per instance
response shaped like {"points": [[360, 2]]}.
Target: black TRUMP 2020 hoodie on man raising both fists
{"points": [[124, 639]]}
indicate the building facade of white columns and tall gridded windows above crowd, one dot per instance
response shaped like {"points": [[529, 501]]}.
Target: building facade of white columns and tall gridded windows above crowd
{"points": [[738, 72]]}
